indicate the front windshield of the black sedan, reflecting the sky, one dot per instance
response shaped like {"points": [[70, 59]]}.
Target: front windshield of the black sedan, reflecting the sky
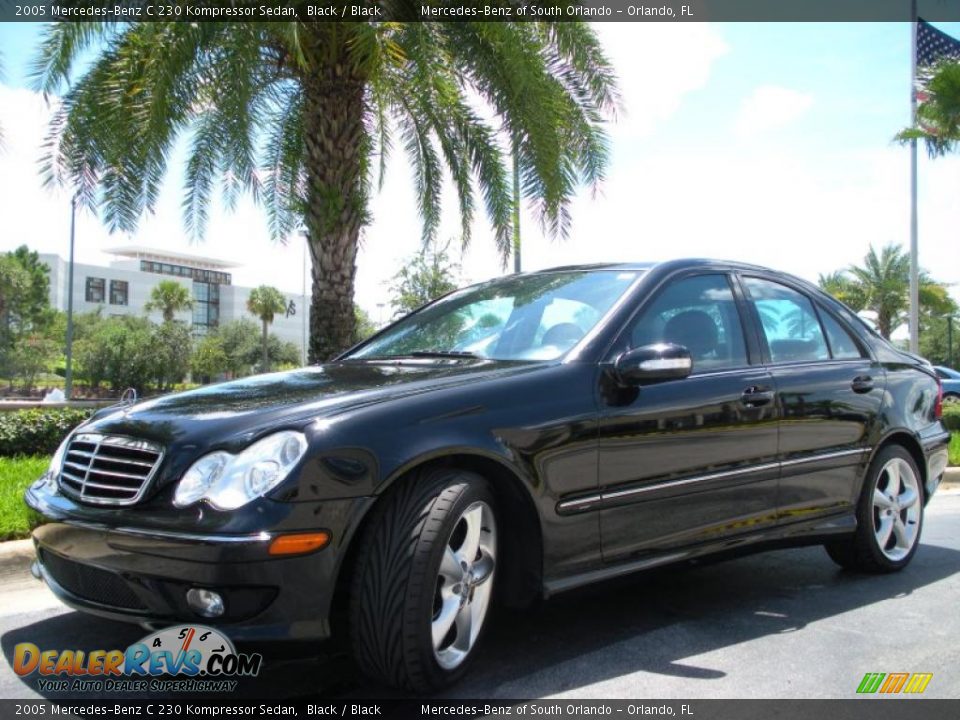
{"points": [[527, 317]]}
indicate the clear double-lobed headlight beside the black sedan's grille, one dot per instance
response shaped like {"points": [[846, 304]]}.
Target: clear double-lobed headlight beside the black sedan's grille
{"points": [[229, 481]]}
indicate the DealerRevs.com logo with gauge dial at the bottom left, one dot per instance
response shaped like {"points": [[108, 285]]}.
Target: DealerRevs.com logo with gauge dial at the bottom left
{"points": [[201, 658]]}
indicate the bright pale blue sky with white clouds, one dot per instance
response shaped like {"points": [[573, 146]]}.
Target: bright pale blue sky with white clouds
{"points": [[763, 142]]}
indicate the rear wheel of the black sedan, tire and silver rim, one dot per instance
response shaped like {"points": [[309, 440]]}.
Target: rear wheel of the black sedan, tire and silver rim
{"points": [[889, 518]]}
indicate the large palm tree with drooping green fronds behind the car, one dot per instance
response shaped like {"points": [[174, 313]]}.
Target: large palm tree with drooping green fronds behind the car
{"points": [[304, 115]]}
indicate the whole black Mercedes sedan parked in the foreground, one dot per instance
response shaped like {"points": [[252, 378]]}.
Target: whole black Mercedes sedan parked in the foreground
{"points": [[511, 440]]}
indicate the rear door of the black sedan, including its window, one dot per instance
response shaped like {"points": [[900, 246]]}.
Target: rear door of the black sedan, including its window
{"points": [[829, 390]]}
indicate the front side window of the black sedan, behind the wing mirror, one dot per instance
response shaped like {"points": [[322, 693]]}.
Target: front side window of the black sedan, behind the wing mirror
{"points": [[699, 313]]}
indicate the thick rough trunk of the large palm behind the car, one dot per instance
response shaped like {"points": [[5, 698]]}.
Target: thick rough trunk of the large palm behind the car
{"points": [[336, 202]]}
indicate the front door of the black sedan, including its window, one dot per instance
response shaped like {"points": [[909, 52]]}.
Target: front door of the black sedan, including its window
{"points": [[688, 460]]}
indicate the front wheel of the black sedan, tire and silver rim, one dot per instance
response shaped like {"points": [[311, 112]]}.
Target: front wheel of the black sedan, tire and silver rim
{"points": [[410, 581]]}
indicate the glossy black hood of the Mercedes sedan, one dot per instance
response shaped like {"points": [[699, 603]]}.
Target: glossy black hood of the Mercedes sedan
{"points": [[234, 412]]}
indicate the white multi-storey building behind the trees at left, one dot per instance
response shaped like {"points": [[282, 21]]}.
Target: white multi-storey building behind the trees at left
{"points": [[123, 288]]}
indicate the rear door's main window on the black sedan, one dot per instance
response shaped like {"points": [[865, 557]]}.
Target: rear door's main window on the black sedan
{"points": [[789, 322]]}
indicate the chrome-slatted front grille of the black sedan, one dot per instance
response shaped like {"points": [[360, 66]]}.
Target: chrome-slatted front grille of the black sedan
{"points": [[107, 469]]}
